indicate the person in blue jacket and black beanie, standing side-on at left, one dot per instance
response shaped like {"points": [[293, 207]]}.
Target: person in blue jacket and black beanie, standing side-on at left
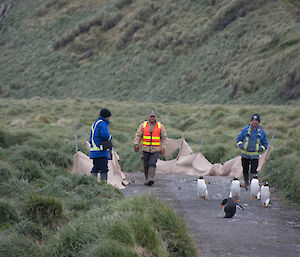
{"points": [[100, 155]]}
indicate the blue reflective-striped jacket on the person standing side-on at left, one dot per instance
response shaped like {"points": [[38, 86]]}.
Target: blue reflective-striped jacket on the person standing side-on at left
{"points": [[102, 124]]}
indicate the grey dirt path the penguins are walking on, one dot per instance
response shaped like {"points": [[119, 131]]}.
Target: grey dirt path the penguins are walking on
{"points": [[256, 231]]}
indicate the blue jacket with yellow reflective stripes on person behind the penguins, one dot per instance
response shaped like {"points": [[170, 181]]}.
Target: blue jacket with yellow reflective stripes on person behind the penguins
{"points": [[252, 142]]}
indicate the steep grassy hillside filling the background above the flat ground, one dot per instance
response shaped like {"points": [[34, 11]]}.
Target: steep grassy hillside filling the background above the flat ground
{"points": [[207, 51]]}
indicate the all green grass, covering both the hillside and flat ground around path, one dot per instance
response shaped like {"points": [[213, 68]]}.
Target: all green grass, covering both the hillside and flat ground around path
{"points": [[123, 54]]}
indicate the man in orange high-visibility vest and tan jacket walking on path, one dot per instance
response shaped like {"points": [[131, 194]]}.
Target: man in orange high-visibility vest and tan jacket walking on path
{"points": [[153, 136]]}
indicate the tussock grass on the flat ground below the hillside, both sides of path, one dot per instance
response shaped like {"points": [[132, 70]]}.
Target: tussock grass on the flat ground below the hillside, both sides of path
{"points": [[80, 212]]}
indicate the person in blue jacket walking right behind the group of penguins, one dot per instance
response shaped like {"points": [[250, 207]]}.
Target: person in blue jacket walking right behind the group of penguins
{"points": [[252, 141]]}
